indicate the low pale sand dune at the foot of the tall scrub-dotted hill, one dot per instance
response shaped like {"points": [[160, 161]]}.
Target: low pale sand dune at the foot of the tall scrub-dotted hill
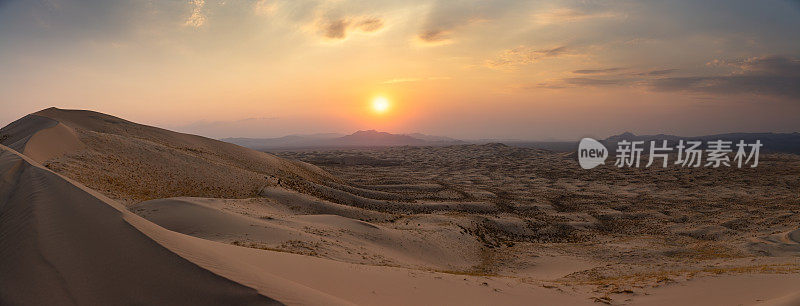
{"points": [[428, 245]]}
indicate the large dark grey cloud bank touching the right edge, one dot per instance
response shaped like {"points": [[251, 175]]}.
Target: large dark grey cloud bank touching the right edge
{"points": [[771, 75]]}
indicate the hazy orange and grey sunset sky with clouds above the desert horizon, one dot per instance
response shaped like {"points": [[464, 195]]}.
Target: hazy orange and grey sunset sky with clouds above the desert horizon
{"points": [[531, 70]]}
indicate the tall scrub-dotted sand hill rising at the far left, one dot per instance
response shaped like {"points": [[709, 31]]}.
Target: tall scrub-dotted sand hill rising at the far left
{"points": [[133, 162]]}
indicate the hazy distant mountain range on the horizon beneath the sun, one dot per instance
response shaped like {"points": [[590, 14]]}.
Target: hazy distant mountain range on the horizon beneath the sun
{"points": [[368, 138]]}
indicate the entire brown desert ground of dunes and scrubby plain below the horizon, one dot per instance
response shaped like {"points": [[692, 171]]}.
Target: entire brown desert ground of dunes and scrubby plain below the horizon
{"points": [[99, 210]]}
